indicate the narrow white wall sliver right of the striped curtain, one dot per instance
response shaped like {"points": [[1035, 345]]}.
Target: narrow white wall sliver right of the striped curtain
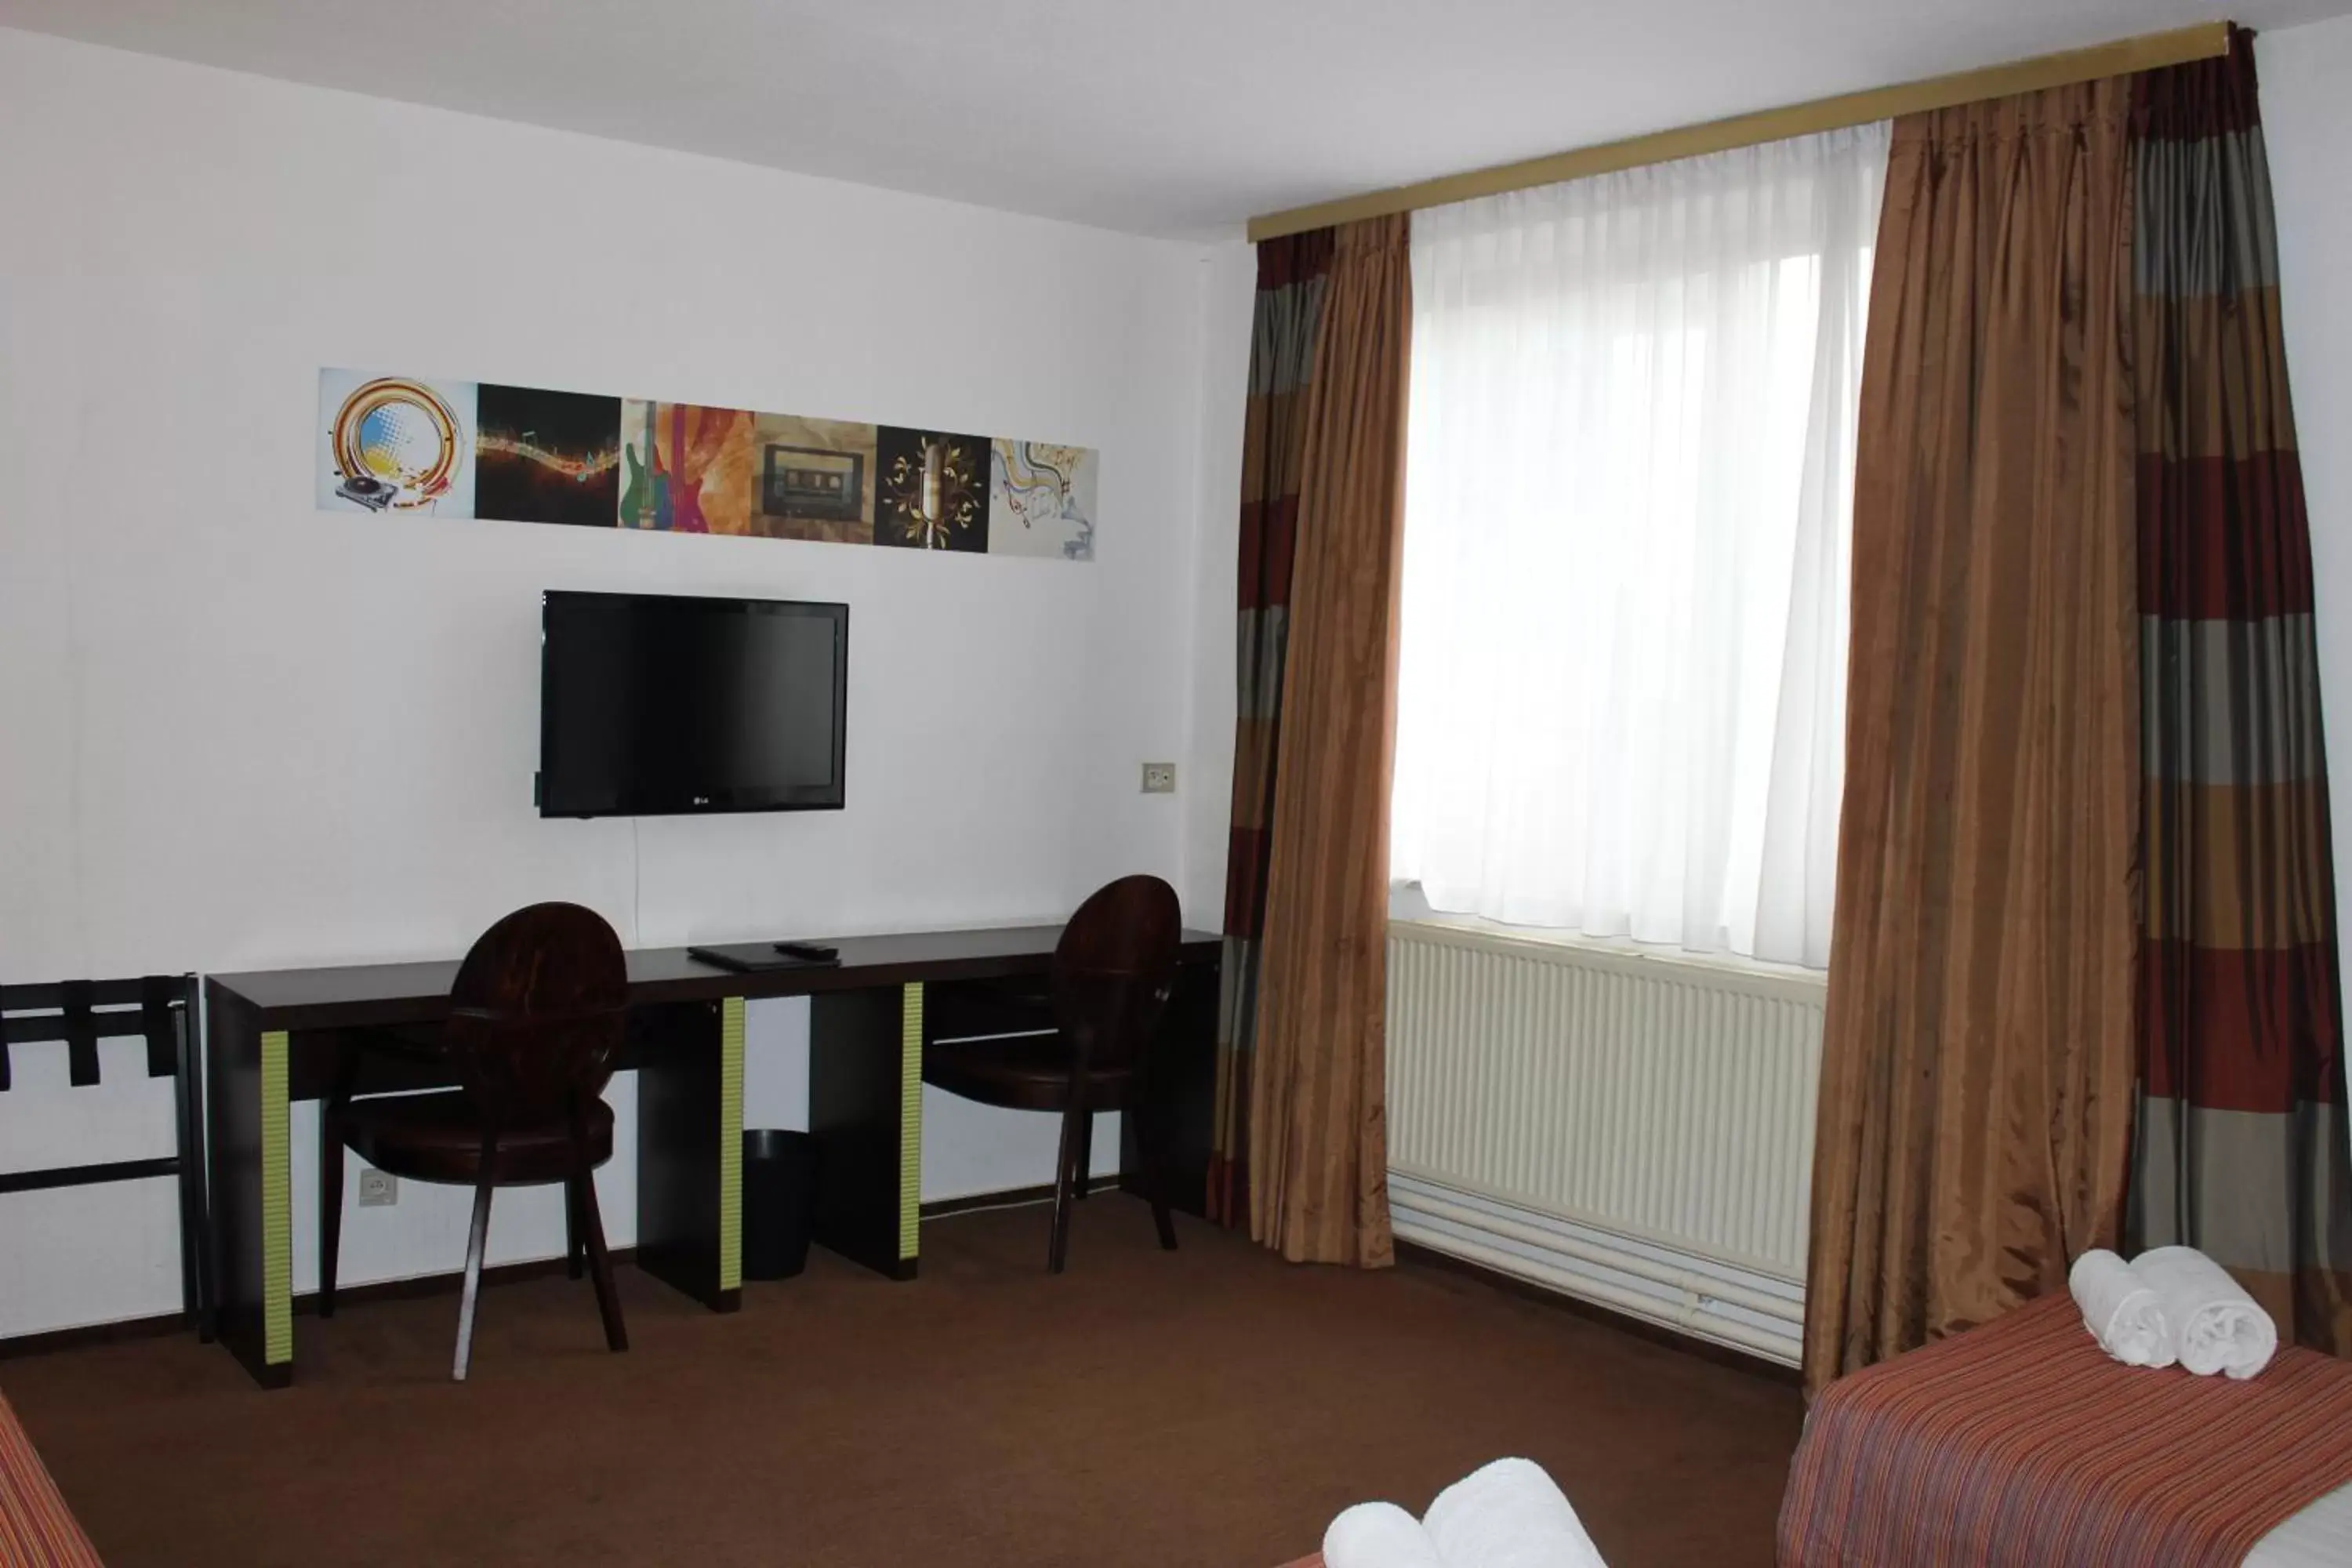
{"points": [[2308, 126]]}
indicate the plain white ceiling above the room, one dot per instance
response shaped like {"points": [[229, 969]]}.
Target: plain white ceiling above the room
{"points": [[1151, 116]]}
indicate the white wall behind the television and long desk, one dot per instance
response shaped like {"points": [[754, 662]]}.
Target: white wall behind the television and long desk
{"points": [[239, 732]]}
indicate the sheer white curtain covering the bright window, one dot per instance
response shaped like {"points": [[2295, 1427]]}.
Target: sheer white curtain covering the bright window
{"points": [[1626, 532]]}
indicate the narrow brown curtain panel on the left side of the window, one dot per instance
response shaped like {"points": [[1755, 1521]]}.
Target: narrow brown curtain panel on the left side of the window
{"points": [[1318, 1134]]}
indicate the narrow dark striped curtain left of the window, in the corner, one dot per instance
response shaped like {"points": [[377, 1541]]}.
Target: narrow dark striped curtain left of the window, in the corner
{"points": [[1292, 276]]}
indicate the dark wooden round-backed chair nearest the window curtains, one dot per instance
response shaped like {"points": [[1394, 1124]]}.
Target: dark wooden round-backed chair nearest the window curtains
{"points": [[1111, 979]]}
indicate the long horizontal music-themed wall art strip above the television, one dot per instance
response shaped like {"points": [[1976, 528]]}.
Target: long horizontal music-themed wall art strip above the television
{"points": [[521, 455]]}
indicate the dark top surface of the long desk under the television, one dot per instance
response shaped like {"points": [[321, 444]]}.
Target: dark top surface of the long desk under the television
{"points": [[408, 993]]}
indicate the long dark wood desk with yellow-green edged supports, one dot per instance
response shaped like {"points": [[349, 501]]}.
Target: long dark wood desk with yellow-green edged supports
{"points": [[279, 1038]]}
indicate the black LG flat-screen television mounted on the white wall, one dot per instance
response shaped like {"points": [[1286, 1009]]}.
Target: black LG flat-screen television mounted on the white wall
{"points": [[660, 706]]}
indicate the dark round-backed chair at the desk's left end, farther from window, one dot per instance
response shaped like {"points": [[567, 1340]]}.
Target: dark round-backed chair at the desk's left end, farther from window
{"points": [[535, 1019]]}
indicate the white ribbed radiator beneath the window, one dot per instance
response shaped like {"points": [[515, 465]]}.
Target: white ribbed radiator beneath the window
{"points": [[1622, 1127]]}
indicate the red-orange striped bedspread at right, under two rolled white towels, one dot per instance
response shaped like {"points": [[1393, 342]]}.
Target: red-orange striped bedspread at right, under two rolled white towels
{"points": [[2024, 1445]]}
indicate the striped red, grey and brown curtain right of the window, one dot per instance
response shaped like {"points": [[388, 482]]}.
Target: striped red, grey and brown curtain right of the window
{"points": [[2240, 1144]]}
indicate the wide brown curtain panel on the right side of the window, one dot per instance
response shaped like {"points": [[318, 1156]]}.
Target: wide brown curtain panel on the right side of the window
{"points": [[1977, 1073]]}
